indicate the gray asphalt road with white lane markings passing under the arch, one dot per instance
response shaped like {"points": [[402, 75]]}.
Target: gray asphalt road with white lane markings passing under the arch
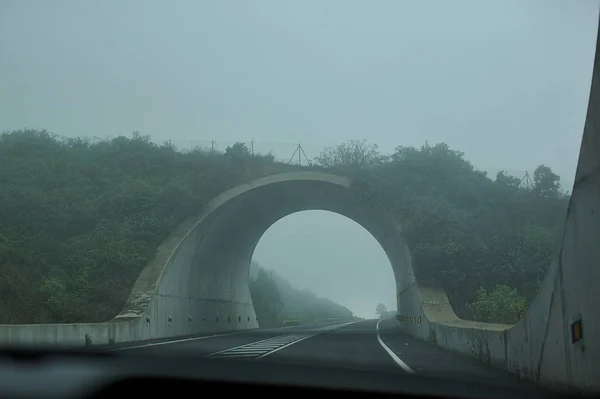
{"points": [[369, 345]]}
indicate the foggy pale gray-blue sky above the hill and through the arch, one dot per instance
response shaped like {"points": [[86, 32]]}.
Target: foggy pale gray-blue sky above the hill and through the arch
{"points": [[506, 82]]}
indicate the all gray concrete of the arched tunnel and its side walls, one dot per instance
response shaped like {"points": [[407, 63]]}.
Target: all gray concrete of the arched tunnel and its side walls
{"points": [[198, 282]]}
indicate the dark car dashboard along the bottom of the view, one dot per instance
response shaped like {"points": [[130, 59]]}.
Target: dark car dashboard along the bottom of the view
{"points": [[94, 374]]}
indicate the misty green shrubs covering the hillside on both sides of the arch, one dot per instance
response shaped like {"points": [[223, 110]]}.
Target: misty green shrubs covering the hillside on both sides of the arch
{"points": [[79, 220]]}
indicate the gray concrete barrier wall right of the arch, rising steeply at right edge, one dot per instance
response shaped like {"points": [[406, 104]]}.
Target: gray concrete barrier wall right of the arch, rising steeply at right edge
{"points": [[539, 347]]}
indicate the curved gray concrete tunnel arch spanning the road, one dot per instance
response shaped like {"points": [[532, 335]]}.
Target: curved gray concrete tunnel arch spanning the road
{"points": [[206, 276]]}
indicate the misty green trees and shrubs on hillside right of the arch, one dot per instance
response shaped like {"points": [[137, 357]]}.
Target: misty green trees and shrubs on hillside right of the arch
{"points": [[487, 241]]}
